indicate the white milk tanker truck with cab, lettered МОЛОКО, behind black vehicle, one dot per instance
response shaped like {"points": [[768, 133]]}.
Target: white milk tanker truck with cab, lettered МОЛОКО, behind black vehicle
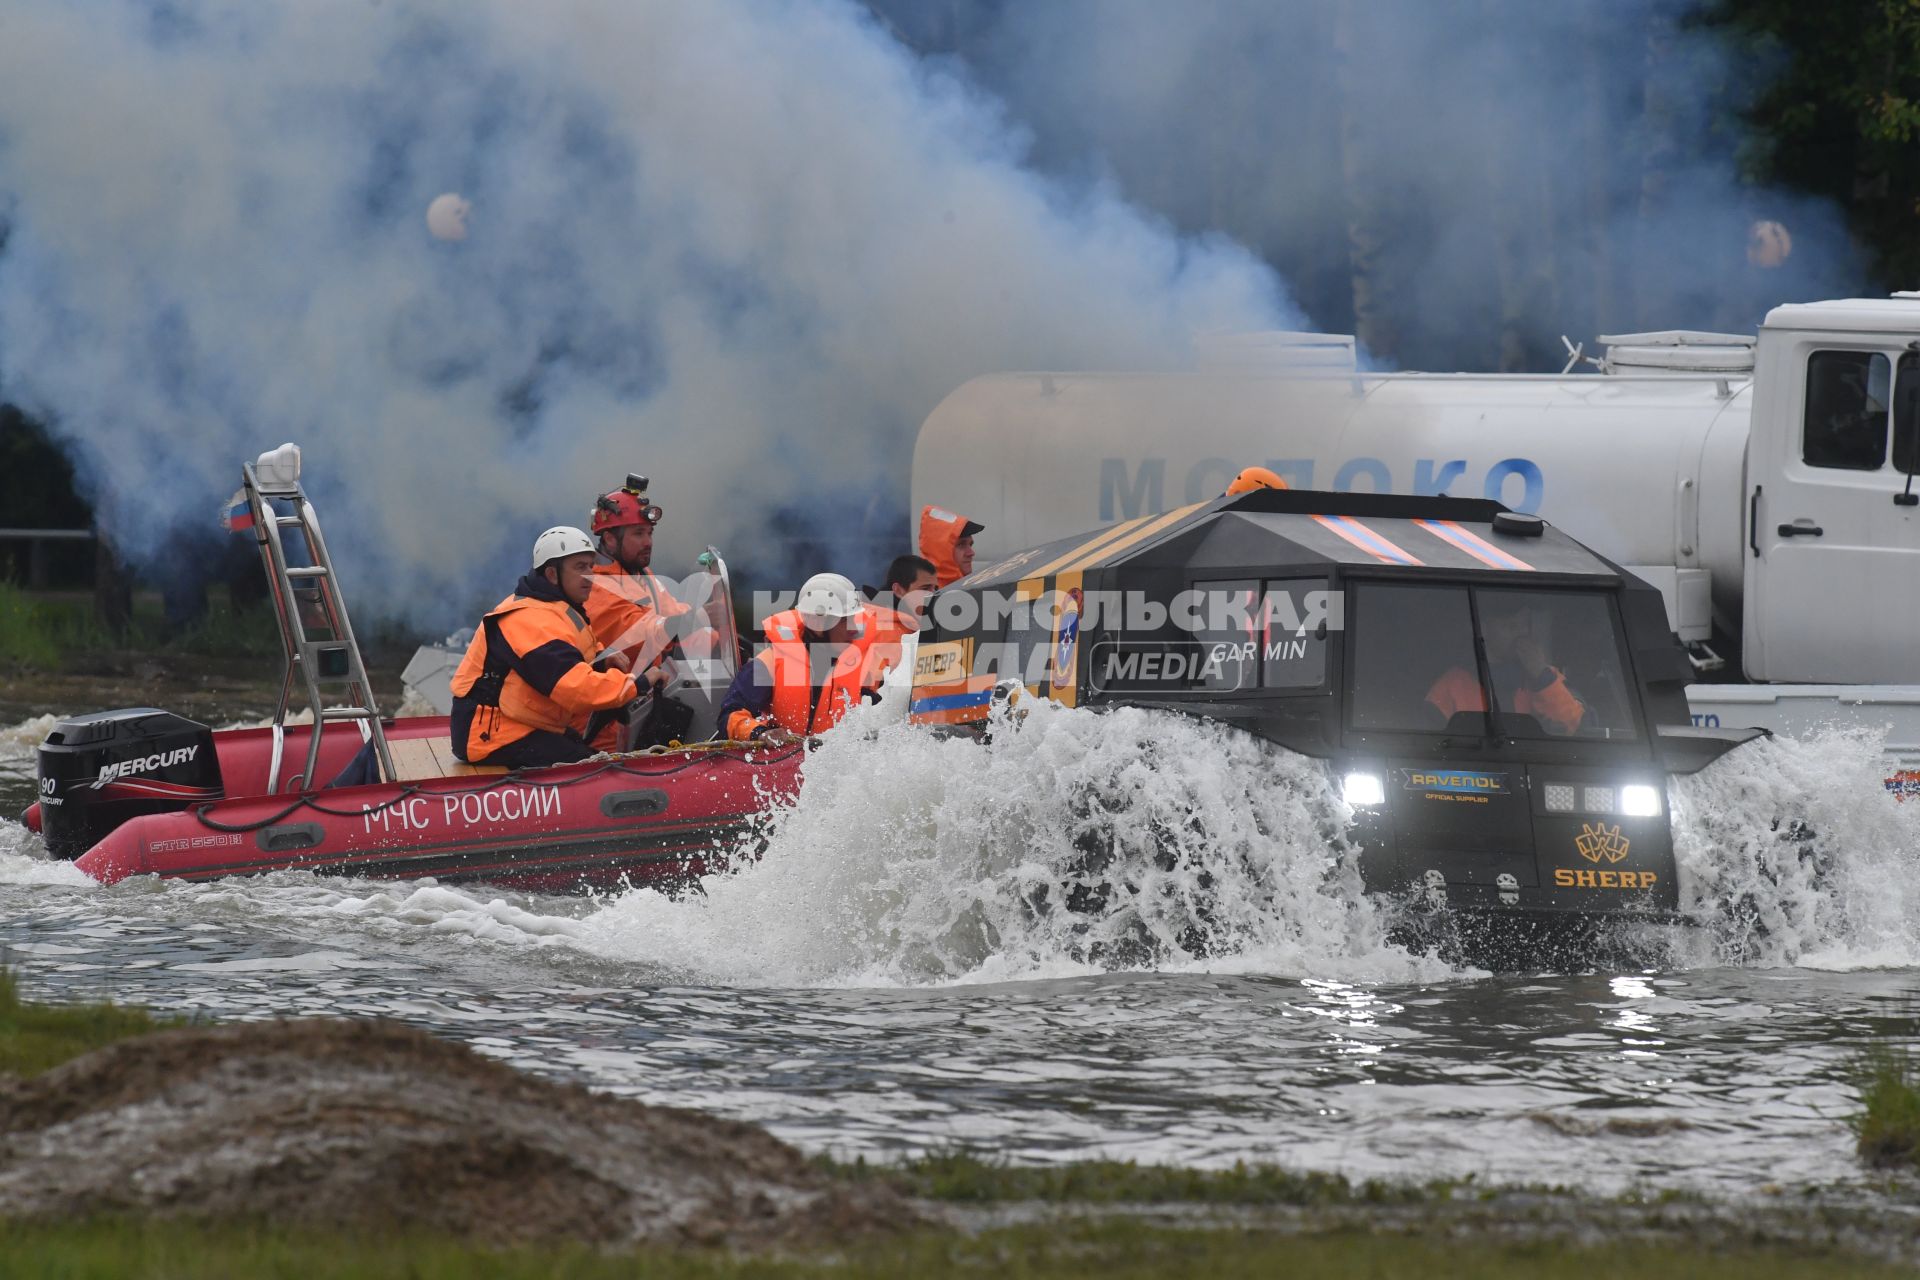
{"points": [[1764, 485]]}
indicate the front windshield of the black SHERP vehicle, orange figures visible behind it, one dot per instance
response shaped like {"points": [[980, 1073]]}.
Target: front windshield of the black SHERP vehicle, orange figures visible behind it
{"points": [[1547, 663]]}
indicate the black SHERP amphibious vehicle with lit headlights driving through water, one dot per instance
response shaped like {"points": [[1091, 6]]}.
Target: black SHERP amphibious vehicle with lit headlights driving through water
{"points": [[1499, 705]]}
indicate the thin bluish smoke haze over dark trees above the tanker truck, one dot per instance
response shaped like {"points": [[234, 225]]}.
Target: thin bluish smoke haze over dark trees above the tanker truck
{"points": [[1529, 170]]}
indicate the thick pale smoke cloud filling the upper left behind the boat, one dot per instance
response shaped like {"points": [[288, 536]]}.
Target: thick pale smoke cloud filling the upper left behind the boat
{"points": [[738, 247]]}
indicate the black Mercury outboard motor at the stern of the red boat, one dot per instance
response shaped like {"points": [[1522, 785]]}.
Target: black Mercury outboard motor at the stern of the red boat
{"points": [[101, 770]]}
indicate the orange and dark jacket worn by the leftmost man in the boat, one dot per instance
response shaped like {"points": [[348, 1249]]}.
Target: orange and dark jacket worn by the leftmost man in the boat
{"points": [[502, 705]]}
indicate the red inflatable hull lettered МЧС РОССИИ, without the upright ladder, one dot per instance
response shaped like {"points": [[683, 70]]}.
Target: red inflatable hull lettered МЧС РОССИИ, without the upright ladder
{"points": [[633, 820]]}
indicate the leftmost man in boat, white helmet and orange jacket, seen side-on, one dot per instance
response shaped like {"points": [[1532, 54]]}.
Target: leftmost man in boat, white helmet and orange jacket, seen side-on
{"points": [[529, 686]]}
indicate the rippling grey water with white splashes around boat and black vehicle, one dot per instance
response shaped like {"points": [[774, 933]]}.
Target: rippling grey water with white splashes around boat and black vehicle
{"points": [[882, 985]]}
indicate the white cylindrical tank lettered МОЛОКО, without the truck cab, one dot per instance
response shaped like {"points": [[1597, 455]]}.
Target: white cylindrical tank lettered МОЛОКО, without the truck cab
{"points": [[1643, 469]]}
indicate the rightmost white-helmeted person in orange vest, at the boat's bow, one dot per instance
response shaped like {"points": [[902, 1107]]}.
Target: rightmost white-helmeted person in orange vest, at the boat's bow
{"points": [[807, 676]]}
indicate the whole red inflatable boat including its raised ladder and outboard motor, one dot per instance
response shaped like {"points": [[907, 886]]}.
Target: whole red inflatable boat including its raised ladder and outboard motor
{"points": [[145, 792]]}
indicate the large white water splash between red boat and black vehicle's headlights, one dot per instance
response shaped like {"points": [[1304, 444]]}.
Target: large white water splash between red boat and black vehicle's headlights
{"points": [[1070, 843]]}
